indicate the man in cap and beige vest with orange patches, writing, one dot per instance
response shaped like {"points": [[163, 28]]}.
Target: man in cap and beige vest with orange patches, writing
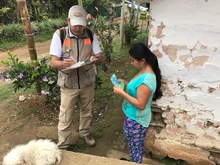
{"points": [[76, 85]]}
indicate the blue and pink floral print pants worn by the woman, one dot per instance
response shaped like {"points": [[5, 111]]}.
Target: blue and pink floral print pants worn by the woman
{"points": [[134, 134]]}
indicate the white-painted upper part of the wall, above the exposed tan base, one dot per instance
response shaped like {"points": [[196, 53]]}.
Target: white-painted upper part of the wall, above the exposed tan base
{"points": [[185, 37]]}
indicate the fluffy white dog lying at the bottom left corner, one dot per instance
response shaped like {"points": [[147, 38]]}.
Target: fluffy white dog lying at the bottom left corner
{"points": [[36, 152]]}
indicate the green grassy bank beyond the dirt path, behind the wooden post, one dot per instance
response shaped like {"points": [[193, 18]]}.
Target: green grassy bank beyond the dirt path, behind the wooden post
{"points": [[12, 35]]}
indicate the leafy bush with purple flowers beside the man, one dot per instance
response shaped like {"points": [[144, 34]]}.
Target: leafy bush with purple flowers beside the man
{"points": [[25, 75]]}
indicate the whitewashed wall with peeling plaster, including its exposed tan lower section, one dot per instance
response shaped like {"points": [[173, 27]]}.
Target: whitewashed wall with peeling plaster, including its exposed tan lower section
{"points": [[185, 36]]}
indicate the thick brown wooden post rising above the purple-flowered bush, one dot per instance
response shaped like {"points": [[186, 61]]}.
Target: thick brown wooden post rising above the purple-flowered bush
{"points": [[22, 7]]}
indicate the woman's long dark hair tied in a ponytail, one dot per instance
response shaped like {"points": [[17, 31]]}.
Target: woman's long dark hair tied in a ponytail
{"points": [[139, 51]]}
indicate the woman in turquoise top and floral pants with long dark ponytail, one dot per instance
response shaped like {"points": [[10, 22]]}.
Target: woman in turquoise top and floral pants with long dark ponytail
{"points": [[140, 92]]}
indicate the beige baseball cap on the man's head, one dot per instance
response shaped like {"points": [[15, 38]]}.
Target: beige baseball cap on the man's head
{"points": [[77, 15]]}
